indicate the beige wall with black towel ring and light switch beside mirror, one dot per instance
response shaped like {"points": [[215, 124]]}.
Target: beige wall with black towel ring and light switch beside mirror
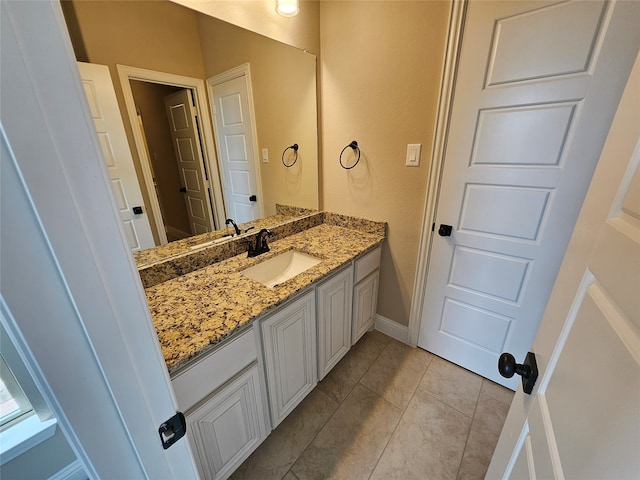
{"points": [[381, 64]]}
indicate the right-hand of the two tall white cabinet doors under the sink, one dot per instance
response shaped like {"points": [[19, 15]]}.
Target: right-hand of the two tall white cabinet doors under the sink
{"points": [[334, 320]]}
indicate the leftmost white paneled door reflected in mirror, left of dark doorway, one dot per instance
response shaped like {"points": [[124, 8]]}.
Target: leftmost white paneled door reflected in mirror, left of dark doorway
{"points": [[103, 105]]}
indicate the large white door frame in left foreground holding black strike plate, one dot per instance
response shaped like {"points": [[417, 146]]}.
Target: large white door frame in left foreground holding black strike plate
{"points": [[88, 288]]}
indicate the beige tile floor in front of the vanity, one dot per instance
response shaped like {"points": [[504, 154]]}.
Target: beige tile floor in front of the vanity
{"points": [[386, 411]]}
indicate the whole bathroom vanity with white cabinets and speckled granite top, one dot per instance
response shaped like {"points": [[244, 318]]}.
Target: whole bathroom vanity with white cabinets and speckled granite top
{"points": [[242, 355]]}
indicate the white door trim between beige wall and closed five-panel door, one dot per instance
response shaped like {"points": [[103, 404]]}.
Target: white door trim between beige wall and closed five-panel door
{"points": [[457, 14]]}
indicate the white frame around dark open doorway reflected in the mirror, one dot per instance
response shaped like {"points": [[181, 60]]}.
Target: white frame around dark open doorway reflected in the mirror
{"points": [[127, 73]]}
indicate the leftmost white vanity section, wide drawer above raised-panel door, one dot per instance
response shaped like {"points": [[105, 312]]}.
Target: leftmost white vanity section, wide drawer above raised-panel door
{"points": [[223, 397]]}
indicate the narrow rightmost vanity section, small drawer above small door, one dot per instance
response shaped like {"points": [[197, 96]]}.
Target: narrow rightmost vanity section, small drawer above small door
{"points": [[365, 293]]}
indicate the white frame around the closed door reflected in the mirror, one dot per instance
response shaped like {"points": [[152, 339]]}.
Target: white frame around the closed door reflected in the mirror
{"points": [[243, 70]]}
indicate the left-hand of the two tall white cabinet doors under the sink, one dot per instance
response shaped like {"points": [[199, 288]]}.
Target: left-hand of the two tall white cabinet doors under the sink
{"points": [[289, 337]]}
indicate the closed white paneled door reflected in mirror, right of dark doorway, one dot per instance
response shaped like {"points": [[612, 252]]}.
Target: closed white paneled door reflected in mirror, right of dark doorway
{"points": [[233, 113]]}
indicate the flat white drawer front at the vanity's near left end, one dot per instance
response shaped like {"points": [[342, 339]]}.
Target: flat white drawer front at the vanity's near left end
{"points": [[206, 375]]}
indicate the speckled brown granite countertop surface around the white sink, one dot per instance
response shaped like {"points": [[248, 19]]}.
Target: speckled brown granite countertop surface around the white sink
{"points": [[194, 312]]}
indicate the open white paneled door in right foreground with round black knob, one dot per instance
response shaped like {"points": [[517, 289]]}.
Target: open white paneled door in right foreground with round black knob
{"points": [[583, 418]]}
